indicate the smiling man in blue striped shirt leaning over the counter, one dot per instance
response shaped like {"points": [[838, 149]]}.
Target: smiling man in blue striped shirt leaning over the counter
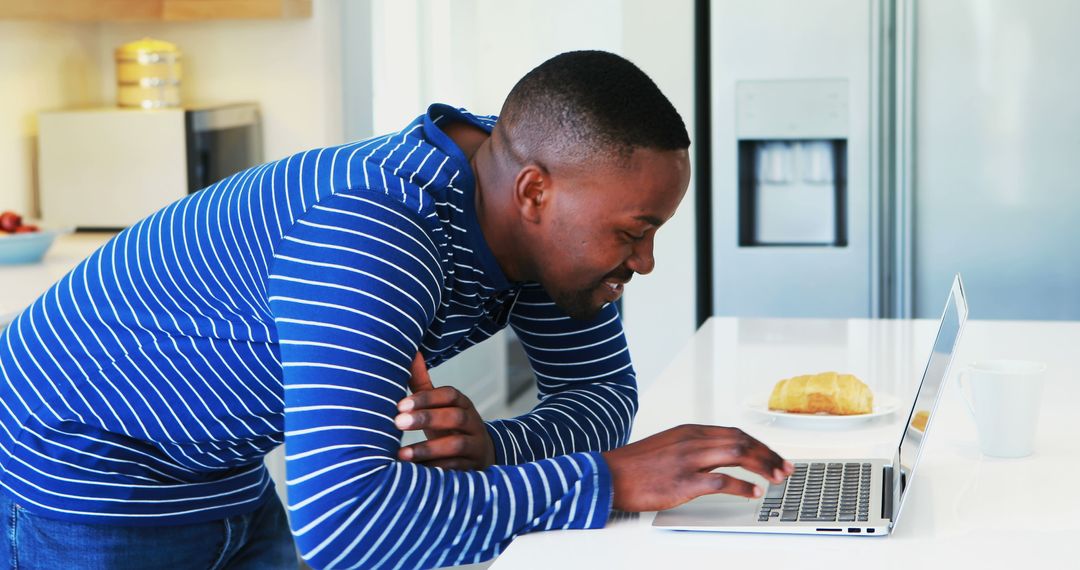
{"points": [[294, 303]]}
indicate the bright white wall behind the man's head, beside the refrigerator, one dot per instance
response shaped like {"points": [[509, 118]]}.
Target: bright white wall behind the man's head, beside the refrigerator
{"points": [[470, 53]]}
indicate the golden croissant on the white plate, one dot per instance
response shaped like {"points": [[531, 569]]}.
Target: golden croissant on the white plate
{"points": [[827, 392]]}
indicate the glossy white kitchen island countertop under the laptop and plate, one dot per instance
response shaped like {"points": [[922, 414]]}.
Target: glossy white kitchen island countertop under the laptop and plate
{"points": [[965, 511]]}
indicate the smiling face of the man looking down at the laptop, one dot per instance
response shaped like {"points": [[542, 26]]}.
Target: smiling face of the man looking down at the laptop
{"points": [[600, 226]]}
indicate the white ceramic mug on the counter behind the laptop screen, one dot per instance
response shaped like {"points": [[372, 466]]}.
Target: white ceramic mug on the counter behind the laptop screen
{"points": [[1004, 398]]}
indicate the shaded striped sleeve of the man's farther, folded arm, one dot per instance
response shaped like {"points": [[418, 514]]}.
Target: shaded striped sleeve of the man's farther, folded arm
{"points": [[587, 385]]}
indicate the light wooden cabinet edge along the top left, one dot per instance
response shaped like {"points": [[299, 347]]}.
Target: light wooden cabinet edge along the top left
{"points": [[154, 10]]}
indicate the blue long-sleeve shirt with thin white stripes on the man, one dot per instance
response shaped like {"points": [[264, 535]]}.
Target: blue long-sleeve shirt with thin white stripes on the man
{"points": [[285, 305]]}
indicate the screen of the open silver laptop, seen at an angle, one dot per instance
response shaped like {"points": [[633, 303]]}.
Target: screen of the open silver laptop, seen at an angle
{"points": [[926, 399]]}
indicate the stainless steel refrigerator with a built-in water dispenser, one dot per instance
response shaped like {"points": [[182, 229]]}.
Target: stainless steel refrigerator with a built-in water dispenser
{"points": [[865, 152]]}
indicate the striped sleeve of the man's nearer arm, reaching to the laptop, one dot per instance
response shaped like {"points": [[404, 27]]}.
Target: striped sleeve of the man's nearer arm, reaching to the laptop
{"points": [[354, 286]]}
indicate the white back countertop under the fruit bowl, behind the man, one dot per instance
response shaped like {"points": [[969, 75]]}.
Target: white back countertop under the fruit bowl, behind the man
{"points": [[20, 286]]}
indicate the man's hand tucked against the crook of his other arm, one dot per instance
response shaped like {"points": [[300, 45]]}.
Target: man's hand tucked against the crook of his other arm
{"points": [[457, 438]]}
